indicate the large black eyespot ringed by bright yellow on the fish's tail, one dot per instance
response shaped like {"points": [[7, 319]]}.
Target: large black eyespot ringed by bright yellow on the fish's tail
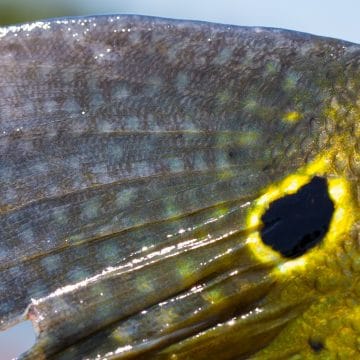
{"points": [[296, 223]]}
